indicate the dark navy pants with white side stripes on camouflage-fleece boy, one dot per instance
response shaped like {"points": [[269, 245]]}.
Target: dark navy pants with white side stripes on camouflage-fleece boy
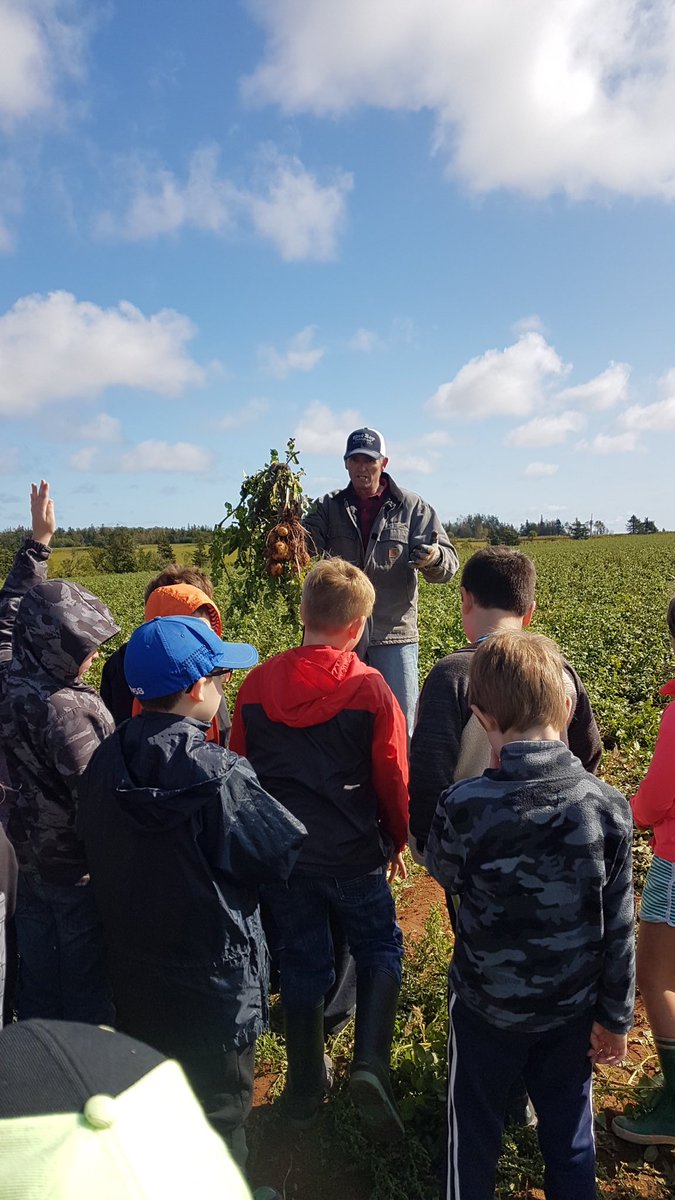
{"points": [[483, 1064]]}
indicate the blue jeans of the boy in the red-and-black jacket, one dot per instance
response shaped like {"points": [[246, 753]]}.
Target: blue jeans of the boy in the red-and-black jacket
{"points": [[302, 910]]}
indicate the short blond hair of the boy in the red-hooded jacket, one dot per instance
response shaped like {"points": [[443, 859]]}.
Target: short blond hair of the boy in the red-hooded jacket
{"points": [[334, 595]]}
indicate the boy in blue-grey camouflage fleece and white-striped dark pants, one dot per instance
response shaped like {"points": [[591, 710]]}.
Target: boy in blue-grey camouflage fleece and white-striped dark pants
{"points": [[541, 982]]}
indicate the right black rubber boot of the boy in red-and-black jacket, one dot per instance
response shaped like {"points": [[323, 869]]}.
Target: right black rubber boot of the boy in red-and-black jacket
{"points": [[378, 998]]}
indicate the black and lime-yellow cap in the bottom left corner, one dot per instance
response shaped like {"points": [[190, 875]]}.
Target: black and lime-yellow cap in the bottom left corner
{"points": [[86, 1112]]}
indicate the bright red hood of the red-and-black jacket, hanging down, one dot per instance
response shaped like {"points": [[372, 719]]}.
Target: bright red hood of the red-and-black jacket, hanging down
{"points": [[309, 685]]}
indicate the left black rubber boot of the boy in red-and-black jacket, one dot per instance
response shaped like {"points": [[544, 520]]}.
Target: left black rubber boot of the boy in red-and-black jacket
{"points": [[308, 1073]]}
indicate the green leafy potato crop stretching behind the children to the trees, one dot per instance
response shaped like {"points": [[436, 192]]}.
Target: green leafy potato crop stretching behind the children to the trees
{"points": [[602, 601]]}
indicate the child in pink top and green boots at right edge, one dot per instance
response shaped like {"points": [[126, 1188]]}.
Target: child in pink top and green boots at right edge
{"points": [[654, 806]]}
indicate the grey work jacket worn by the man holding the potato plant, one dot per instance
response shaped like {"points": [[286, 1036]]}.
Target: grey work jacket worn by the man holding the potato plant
{"points": [[404, 524]]}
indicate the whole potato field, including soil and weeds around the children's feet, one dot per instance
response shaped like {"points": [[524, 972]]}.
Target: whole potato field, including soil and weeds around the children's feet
{"points": [[605, 603]]}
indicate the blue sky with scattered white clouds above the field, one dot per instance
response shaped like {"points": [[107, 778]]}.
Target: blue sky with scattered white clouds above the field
{"points": [[226, 224]]}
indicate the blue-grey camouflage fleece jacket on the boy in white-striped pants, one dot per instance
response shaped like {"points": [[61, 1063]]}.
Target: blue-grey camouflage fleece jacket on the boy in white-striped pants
{"points": [[540, 854]]}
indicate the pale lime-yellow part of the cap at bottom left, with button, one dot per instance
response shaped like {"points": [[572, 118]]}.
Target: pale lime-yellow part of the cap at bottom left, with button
{"points": [[151, 1143]]}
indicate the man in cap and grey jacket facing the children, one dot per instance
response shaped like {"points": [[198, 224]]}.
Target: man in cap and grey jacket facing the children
{"points": [[392, 535]]}
